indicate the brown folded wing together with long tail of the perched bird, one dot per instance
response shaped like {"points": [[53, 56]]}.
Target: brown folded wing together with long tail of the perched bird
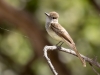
{"points": [[58, 29]]}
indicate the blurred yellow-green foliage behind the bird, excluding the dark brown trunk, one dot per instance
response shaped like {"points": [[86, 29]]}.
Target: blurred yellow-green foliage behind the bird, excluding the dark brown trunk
{"points": [[80, 18]]}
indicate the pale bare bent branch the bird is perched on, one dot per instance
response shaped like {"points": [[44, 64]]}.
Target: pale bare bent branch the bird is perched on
{"points": [[90, 61]]}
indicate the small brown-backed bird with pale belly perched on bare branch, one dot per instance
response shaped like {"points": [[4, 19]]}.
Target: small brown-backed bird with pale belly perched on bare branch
{"points": [[56, 31]]}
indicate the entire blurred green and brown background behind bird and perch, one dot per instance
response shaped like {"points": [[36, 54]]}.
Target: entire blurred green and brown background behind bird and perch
{"points": [[23, 36]]}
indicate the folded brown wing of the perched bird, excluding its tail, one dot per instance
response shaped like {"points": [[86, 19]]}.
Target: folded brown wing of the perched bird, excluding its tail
{"points": [[59, 30]]}
